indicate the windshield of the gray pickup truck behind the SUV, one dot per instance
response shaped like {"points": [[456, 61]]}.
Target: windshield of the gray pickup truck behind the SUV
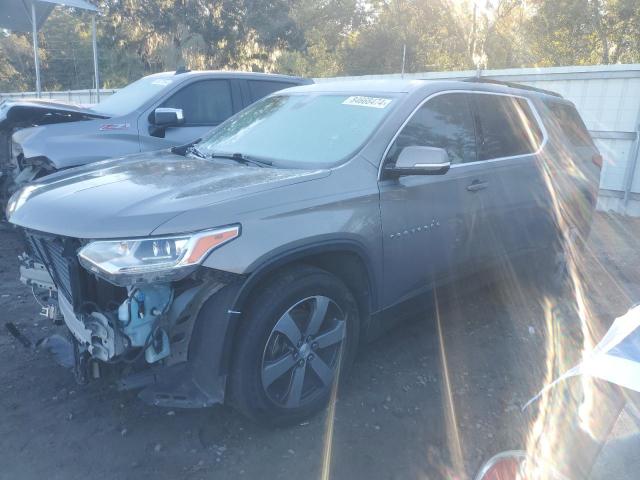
{"points": [[132, 96]]}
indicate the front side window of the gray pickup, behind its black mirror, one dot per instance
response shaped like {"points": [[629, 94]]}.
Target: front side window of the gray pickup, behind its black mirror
{"points": [[207, 102]]}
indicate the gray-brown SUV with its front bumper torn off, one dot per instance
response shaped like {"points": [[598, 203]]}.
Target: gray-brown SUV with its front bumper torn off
{"points": [[250, 266]]}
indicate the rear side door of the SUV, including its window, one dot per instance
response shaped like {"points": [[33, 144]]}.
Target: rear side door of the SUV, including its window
{"points": [[509, 138]]}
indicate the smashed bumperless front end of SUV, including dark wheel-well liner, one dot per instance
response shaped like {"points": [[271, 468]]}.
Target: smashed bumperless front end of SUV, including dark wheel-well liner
{"points": [[168, 339]]}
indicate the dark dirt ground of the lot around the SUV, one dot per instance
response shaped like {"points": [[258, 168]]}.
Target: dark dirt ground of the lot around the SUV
{"points": [[391, 419]]}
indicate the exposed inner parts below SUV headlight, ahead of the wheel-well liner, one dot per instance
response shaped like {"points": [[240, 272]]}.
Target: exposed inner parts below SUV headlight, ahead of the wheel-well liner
{"points": [[126, 332]]}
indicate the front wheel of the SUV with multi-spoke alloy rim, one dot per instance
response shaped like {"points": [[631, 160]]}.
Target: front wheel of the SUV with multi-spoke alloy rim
{"points": [[298, 338]]}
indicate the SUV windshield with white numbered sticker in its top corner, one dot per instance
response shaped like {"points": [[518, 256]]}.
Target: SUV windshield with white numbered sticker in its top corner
{"points": [[302, 129]]}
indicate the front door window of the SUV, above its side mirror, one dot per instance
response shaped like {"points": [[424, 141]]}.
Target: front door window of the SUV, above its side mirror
{"points": [[445, 122]]}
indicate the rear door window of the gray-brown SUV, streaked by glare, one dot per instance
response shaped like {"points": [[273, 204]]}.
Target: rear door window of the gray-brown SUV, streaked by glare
{"points": [[506, 127]]}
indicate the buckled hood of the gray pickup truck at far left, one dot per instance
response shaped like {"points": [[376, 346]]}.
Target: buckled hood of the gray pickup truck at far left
{"points": [[24, 113]]}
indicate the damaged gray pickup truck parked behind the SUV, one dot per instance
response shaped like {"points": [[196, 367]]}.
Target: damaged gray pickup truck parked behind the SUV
{"points": [[154, 112]]}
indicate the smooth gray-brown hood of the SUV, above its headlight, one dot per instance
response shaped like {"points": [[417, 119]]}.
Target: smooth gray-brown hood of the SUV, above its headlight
{"points": [[132, 196]]}
